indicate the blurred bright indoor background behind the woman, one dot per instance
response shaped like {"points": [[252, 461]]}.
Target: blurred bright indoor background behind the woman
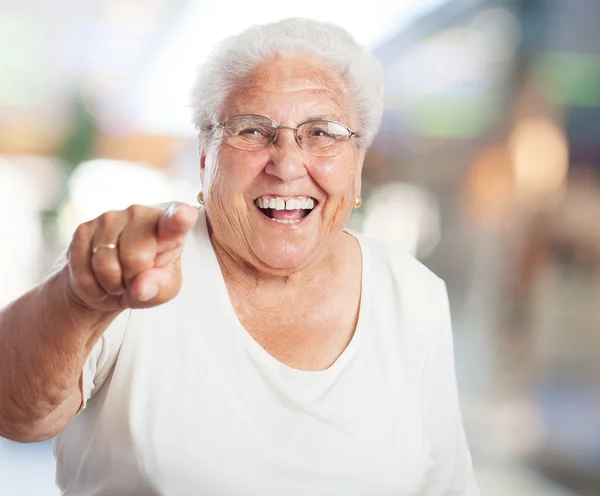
{"points": [[487, 168]]}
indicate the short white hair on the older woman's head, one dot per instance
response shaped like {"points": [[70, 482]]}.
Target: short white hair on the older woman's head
{"points": [[238, 56]]}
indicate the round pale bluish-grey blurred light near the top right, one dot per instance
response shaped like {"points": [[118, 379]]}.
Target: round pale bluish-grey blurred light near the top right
{"points": [[499, 32]]}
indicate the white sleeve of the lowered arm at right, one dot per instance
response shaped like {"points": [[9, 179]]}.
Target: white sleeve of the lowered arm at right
{"points": [[452, 471]]}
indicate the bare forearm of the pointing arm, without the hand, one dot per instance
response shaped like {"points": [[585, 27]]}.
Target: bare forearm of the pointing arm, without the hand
{"points": [[45, 339]]}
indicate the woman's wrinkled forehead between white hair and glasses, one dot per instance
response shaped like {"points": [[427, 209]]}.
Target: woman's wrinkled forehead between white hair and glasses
{"points": [[290, 80]]}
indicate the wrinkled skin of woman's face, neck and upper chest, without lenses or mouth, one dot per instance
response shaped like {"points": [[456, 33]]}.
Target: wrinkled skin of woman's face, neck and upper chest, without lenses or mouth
{"points": [[295, 288]]}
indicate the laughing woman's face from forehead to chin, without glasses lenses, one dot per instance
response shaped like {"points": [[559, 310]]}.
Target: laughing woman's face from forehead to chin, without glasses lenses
{"points": [[242, 187]]}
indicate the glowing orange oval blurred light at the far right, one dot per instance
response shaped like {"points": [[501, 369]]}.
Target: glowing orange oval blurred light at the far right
{"points": [[540, 157]]}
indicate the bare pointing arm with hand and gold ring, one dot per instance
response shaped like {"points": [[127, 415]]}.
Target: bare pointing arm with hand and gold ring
{"points": [[47, 334]]}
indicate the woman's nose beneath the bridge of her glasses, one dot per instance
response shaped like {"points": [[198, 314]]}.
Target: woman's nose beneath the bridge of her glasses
{"points": [[287, 159]]}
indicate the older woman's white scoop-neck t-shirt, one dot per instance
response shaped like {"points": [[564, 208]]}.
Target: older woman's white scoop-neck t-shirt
{"points": [[180, 400]]}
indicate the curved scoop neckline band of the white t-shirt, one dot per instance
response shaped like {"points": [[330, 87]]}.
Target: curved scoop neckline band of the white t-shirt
{"points": [[253, 346]]}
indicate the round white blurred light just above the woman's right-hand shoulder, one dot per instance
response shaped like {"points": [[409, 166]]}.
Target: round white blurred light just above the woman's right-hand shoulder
{"points": [[405, 216]]}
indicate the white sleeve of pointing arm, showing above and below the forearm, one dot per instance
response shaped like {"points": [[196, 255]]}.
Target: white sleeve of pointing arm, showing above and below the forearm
{"points": [[104, 354]]}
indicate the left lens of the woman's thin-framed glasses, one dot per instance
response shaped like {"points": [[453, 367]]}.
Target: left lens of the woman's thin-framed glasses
{"points": [[249, 132]]}
